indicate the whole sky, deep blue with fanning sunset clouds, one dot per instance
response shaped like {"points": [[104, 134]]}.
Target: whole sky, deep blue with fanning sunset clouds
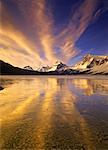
{"points": [[41, 32]]}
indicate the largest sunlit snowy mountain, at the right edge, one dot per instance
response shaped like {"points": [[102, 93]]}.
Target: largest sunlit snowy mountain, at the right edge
{"points": [[93, 64]]}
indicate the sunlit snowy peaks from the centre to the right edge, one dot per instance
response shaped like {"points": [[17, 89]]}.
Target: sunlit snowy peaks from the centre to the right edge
{"points": [[91, 64]]}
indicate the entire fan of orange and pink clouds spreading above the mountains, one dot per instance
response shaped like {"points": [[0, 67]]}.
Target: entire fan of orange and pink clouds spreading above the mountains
{"points": [[38, 43]]}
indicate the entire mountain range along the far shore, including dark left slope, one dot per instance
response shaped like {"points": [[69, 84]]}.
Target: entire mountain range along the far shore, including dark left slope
{"points": [[90, 64]]}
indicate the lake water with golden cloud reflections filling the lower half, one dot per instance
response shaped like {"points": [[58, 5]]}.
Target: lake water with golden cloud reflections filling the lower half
{"points": [[54, 112]]}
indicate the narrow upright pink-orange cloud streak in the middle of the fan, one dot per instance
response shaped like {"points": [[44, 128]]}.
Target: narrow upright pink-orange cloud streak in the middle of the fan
{"points": [[44, 24]]}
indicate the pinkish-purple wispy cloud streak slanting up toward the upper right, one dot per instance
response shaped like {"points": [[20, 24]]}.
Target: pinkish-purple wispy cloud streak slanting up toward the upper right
{"points": [[78, 23]]}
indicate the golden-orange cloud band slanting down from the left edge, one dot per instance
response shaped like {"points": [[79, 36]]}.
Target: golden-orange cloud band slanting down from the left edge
{"points": [[10, 35]]}
